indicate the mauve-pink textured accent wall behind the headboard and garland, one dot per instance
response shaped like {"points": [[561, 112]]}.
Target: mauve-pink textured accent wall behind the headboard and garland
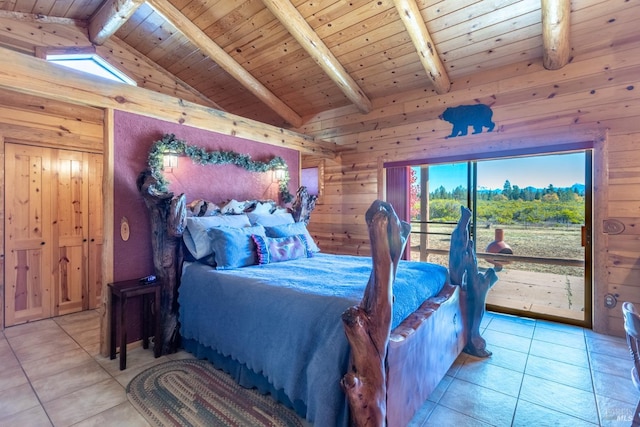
{"points": [[134, 136]]}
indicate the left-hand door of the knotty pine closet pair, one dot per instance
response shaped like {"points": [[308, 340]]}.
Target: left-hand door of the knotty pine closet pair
{"points": [[28, 234]]}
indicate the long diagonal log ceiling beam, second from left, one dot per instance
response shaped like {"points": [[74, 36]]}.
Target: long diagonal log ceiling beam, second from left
{"points": [[224, 60]]}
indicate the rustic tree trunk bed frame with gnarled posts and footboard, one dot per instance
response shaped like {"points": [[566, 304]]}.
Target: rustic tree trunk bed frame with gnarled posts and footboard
{"points": [[391, 373]]}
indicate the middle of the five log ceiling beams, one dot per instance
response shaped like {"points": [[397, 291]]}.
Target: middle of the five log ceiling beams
{"points": [[300, 30]]}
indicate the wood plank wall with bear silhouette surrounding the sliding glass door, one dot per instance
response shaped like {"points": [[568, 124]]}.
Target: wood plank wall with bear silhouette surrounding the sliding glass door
{"points": [[594, 98]]}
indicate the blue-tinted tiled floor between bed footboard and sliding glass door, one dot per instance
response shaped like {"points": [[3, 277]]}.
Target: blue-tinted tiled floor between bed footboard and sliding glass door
{"points": [[540, 374]]}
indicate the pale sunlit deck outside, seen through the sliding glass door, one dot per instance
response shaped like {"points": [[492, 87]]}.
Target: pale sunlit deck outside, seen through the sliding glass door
{"points": [[543, 293]]}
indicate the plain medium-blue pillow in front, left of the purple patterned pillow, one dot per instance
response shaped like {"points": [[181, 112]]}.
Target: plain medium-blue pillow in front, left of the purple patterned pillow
{"points": [[233, 247]]}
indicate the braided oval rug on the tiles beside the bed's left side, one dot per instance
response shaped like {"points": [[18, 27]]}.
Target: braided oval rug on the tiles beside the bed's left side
{"points": [[193, 393]]}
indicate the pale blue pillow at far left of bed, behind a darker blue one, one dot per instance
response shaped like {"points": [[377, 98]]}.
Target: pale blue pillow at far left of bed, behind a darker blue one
{"points": [[195, 235]]}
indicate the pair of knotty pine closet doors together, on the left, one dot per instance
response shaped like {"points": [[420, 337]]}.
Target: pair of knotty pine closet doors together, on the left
{"points": [[53, 233]]}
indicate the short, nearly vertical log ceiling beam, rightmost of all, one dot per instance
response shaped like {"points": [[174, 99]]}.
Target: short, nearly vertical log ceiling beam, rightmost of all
{"points": [[556, 23]]}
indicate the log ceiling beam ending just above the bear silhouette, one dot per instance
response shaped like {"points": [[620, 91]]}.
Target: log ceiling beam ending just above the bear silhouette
{"points": [[417, 29]]}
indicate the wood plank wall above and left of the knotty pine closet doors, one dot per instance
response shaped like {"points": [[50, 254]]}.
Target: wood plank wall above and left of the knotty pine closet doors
{"points": [[47, 123]]}
